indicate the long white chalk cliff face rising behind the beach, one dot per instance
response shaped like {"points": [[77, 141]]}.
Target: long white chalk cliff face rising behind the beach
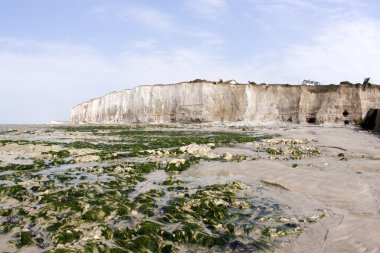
{"points": [[221, 102]]}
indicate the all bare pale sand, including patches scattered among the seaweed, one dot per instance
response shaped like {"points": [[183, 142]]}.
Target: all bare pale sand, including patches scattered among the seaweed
{"points": [[340, 177]]}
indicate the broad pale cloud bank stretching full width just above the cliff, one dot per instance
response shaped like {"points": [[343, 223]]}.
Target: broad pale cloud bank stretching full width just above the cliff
{"points": [[55, 76]]}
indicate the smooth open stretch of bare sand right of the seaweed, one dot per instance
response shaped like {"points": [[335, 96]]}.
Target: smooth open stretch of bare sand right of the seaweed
{"points": [[350, 189]]}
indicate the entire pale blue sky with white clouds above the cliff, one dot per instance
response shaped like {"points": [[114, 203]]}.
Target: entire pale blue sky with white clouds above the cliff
{"points": [[56, 54]]}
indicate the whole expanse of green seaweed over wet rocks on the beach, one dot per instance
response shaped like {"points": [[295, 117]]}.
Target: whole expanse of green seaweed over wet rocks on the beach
{"points": [[103, 212]]}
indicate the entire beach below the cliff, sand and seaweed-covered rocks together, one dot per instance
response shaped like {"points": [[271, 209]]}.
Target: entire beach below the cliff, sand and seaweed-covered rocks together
{"points": [[298, 188]]}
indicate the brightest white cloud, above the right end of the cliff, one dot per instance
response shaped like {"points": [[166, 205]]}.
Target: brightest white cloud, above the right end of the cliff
{"points": [[346, 50]]}
